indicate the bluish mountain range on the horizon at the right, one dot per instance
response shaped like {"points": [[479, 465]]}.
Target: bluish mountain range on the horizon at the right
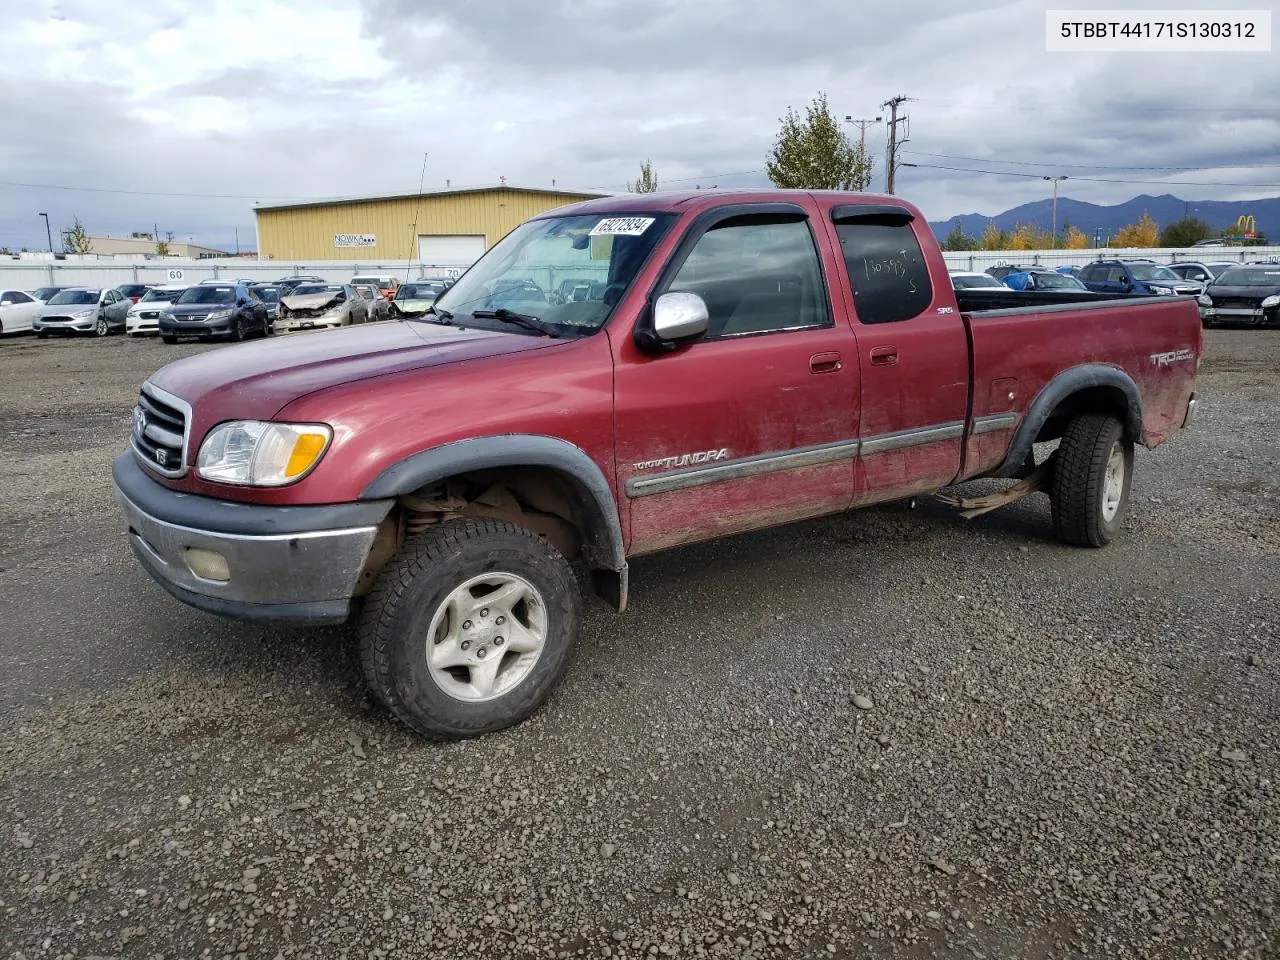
{"points": [[1087, 218]]}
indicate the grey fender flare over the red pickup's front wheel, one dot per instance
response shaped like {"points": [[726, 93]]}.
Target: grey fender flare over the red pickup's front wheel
{"points": [[604, 541]]}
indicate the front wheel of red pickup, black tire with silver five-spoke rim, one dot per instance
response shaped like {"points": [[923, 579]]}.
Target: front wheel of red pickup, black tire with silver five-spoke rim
{"points": [[470, 628]]}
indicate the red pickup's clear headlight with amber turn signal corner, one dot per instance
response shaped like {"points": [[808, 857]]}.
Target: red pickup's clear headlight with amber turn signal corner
{"points": [[255, 454]]}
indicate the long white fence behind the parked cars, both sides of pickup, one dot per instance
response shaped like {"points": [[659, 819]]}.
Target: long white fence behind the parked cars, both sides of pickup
{"points": [[28, 275]]}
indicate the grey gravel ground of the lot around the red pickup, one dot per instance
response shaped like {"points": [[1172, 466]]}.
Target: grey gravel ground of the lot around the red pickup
{"points": [[888, 734]]}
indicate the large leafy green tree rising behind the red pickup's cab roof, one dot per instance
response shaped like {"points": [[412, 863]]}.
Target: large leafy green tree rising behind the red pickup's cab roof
{"points": [[813, 153]]}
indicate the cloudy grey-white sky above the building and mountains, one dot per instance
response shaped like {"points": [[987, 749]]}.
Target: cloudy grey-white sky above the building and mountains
{"points": [[159, 112]]}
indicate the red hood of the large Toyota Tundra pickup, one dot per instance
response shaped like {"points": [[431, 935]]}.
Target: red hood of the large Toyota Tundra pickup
{"points": [[258, 380]]}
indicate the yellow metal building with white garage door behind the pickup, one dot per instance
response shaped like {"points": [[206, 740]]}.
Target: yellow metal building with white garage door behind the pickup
{"points": [[454, 227]]}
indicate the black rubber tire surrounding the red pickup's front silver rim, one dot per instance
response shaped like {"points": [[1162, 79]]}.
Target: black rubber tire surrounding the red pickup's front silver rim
{"points": [[413, 588]]}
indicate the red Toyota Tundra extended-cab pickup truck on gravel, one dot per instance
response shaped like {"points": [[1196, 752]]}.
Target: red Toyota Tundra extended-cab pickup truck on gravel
{"points": [[618, 378]]}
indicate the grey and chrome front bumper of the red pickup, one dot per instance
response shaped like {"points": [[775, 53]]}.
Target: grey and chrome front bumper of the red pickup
{"points": [[287, 564]]}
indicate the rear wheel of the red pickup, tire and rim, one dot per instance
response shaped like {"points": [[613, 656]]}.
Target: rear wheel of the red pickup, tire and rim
{"points": [[1086, 509]]}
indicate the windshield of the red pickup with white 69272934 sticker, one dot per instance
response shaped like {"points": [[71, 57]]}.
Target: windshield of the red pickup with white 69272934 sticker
{"points": [[568, 272]]}
